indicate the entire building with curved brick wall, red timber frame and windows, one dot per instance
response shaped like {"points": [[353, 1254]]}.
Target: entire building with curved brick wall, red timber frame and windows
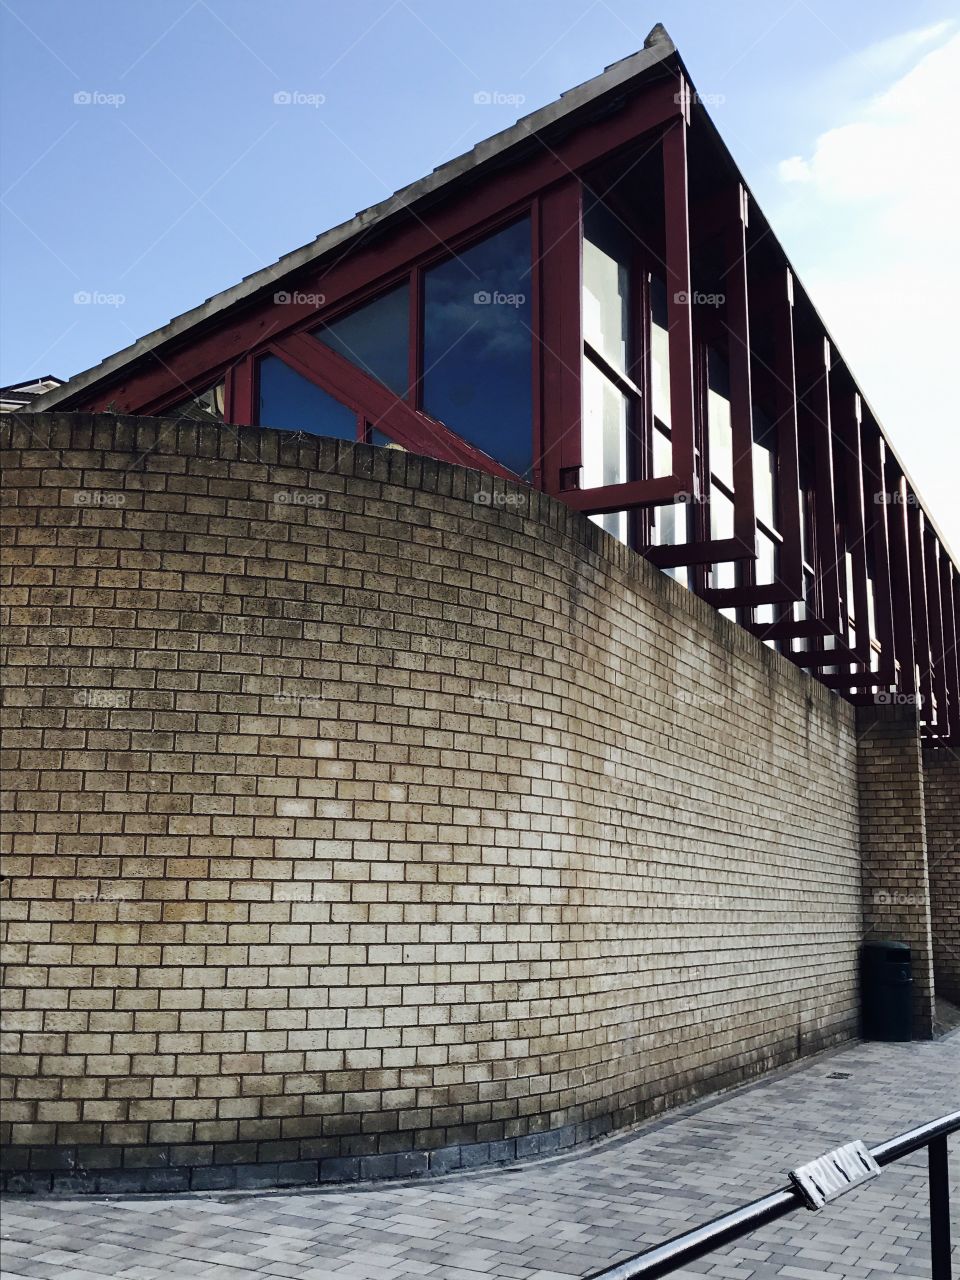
{"points": [[378, 812]]}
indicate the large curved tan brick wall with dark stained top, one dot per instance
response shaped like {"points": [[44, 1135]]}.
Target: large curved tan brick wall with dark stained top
{"points": [[369, 816]]}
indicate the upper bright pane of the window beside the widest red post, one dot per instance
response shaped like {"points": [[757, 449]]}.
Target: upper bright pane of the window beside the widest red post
{"points": [[607, 286]]}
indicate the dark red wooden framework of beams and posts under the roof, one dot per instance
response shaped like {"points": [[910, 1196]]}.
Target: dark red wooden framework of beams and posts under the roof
{"points": [[862, 500]]}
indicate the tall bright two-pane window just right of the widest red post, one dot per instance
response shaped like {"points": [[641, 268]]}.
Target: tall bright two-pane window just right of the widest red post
{"points": [[609, 391]]}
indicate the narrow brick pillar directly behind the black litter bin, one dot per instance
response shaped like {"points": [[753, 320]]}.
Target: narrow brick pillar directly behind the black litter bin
{"points": [[894, 844]]}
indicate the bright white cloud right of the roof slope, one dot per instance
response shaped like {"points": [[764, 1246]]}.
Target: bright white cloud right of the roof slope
{"points": [[875, 235]]}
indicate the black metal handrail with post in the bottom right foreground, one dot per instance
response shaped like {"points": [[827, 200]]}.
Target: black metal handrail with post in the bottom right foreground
{"points": [[668, 1258]]}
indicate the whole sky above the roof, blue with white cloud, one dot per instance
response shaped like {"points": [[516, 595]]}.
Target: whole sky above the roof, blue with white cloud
{"points": [[184, 175]]}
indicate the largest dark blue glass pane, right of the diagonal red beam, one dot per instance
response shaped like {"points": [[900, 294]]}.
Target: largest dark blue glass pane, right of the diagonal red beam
{"points": [[478, 351]]}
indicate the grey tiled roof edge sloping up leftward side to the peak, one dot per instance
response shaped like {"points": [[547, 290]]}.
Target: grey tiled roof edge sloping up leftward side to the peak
{"points": [[492, 152]]}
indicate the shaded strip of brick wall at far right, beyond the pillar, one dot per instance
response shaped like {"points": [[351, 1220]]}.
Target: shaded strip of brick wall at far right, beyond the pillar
{"points": [[941, 789]]}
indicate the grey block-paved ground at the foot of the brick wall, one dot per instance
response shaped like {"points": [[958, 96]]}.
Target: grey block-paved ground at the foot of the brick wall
{"points": [[557, 1219]]}
